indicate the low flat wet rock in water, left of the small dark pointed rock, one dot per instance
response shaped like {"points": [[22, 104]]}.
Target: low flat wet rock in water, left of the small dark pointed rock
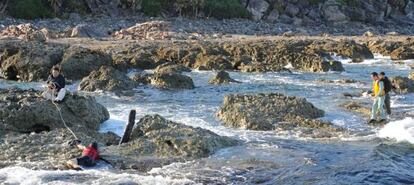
{"points": [[172, 81]]}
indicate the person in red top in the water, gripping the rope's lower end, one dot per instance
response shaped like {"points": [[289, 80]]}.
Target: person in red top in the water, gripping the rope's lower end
{"points": [[90, 155]]}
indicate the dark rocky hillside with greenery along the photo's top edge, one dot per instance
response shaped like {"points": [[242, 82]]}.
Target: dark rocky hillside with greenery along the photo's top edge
{"points": [[298, 12]]}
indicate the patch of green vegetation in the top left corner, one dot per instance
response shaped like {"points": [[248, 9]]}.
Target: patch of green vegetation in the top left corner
{"points": [[29, 9]]}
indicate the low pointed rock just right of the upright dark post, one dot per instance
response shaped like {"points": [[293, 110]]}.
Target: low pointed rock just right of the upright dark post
{"points": [[156, 141]]}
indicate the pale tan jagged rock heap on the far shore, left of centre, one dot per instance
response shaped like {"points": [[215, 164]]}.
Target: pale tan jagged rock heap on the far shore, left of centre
{"points": [[153, 30]]}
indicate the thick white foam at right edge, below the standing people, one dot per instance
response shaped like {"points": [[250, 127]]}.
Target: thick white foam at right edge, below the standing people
{"points": [[402, 130]]}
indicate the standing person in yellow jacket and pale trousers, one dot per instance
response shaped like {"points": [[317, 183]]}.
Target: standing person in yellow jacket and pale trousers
{"points": [[378, 94]]}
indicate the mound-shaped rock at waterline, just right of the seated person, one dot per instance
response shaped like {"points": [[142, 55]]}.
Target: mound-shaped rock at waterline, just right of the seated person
{"points": [[107, 79]]}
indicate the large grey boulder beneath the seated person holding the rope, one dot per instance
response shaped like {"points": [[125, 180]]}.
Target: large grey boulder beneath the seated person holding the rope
{"points": [[24, 111]]}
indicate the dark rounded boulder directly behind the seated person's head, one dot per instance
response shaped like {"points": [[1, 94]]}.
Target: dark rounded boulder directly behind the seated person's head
{"points": [[78, 62]]}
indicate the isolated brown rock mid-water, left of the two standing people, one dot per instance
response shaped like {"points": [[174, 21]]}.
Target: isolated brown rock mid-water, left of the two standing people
{"points": [[264, 111]]}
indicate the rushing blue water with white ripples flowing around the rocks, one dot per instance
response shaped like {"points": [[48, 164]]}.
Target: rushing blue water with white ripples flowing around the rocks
{"points": [[368, 155]]}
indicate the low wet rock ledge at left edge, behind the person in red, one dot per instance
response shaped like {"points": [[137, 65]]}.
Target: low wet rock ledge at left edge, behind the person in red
{"points": [[47, 150]]}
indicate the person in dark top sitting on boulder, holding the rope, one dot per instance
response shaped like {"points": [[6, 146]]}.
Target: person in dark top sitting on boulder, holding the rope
{"points": [[55, 86]]}
